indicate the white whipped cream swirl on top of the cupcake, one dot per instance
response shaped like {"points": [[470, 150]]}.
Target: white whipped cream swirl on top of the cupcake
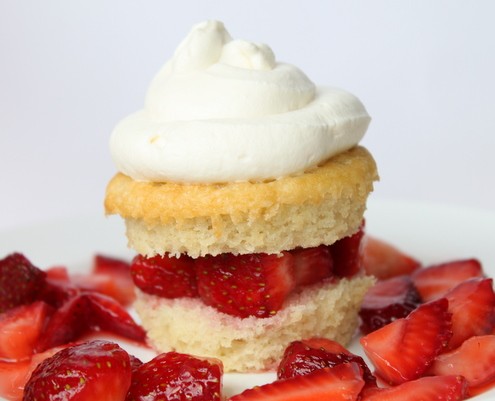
{"points": [[224, 110]]}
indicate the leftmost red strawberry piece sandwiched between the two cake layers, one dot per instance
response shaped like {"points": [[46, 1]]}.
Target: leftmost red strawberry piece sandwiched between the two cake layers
{"points": [[165, 276]]}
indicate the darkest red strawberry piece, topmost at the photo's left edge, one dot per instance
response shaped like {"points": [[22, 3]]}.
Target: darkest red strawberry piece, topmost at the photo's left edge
{"points": [[20, 281]]}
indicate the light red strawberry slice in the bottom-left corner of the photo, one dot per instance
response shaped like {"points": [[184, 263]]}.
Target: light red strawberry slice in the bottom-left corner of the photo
{"points": [[15, 375]]}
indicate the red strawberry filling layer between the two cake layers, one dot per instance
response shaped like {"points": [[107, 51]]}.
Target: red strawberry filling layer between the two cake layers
{"points": [[251, 284]]}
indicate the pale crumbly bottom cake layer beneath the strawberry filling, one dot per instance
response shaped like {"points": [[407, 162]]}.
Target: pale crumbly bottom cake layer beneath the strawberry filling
{"points": [[186, 325]]}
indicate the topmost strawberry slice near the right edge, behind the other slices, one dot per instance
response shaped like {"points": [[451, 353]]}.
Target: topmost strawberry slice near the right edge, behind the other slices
{"points": [[434, 281]]}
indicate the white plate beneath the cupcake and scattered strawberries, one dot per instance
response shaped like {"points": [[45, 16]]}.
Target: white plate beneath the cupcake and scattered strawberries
{"points": [[431, 233]]}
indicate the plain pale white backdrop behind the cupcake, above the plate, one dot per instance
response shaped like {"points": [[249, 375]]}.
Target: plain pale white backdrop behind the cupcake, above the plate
{"points": [[69, 71]]}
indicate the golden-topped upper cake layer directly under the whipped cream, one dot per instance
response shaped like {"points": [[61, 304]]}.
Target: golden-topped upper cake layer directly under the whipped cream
{"points": [[317, 207]]}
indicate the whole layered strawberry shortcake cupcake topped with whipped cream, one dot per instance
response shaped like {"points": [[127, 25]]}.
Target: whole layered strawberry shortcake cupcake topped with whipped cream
{"points": [[243, 190]]}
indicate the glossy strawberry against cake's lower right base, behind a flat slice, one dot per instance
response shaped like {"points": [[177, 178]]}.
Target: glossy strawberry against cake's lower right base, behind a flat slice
{"points": [[303, 357]]}
